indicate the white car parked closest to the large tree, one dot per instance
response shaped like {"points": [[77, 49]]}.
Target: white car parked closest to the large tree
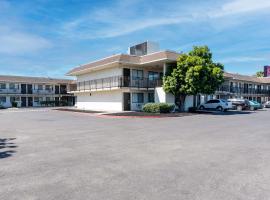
{"points": [[216, 104]]}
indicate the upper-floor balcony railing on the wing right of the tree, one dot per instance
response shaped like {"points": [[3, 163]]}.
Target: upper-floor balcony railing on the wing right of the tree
{"points": [[243, 90]]}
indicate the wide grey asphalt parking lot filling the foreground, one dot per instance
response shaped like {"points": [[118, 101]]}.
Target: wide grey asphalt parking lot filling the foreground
{"points": [[48, 154]]}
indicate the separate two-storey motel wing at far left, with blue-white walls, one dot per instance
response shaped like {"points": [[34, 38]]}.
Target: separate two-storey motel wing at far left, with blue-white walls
{"points": [[31, 91]]}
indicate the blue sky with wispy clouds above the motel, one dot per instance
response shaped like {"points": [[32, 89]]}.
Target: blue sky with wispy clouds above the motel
{"points": [[49, 37]]}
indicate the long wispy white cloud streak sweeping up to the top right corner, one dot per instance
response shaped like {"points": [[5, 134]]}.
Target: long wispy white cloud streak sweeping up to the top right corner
{"points": [[124, 17]]}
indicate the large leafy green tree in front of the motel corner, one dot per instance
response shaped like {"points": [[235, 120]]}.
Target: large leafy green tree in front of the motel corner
{"points": [[194, 73]]}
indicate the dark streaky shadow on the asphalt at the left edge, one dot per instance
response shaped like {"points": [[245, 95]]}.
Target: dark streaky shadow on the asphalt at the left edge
{"points": [[7, 147]]}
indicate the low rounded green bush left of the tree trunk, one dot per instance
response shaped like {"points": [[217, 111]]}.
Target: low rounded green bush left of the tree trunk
{"points": [[158, 107]]}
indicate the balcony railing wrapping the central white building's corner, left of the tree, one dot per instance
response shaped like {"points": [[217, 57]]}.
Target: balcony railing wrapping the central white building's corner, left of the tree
{"points": [[117, 82]]}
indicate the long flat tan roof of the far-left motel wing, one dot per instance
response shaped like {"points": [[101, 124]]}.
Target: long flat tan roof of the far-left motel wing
{"points": [[30, 79]]}
